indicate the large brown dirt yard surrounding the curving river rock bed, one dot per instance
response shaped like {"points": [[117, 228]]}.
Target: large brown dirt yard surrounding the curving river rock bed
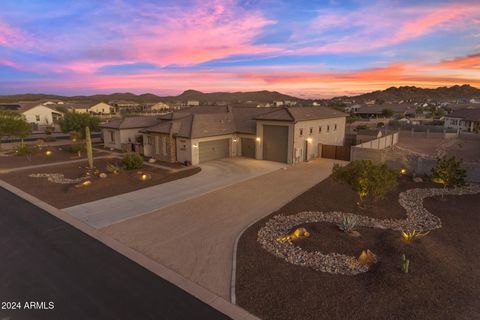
{"points": [[442, 283]]}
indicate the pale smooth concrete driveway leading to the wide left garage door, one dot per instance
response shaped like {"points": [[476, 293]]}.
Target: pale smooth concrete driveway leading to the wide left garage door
{"points": [[214, 175]]}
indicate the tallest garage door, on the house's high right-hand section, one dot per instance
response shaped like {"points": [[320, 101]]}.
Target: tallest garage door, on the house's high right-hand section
{"points": [[275, 143]]}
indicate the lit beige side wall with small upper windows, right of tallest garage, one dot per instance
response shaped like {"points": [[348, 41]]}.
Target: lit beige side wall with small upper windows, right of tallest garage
{"points": [[316, 138]]}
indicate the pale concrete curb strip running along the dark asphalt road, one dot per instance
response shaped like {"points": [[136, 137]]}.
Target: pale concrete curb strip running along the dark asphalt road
{"points": [[188, 286]]}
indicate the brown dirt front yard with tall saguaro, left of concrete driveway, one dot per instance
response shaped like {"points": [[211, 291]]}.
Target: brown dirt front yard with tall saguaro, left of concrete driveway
{"points": [[67, 195]]}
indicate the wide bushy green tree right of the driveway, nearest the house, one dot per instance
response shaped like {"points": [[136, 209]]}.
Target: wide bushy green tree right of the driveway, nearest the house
{"points": [[367, 179]]}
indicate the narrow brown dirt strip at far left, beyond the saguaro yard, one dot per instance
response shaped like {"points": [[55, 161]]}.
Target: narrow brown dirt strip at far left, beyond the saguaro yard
{"points": [[59, 154]]}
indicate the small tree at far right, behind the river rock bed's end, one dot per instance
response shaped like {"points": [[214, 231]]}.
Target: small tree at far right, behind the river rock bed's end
{"points": [[448, 172]]}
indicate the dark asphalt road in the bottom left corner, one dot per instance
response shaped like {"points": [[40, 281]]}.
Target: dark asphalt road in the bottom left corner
{"points": [[45, 259]]}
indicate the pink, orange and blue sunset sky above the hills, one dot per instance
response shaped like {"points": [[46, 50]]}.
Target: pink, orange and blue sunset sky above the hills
{"points": [[305, 48]]}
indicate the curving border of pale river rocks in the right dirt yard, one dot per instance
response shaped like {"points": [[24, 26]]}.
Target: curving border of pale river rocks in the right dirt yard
{"points": [[418, 218]]}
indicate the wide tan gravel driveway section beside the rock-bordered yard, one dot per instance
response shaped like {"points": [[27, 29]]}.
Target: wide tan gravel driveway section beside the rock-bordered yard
{"points": [[195, 238]]}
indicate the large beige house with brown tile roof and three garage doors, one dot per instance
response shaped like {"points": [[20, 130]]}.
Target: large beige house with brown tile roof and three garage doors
{"points": [[196, 135]]}
